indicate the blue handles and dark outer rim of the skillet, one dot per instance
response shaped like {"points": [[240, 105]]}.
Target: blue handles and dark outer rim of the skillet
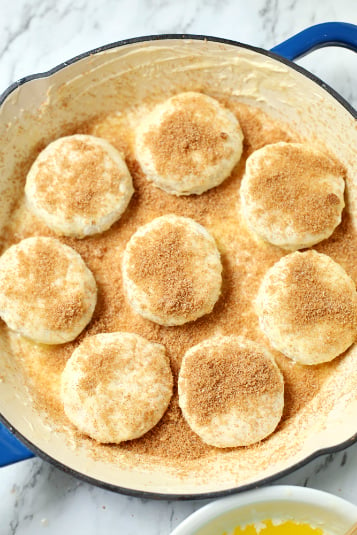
{"points": [[13, 446]]}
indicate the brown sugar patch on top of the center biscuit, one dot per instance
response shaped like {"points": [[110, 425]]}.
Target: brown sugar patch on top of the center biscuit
{"points": [[162, 264]]}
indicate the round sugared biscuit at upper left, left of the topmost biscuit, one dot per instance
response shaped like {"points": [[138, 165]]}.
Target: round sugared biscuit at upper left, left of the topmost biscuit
{"points": [[79, 185]]}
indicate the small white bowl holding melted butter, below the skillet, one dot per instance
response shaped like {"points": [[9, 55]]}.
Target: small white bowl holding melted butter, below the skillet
{"points": [[301, 504]]}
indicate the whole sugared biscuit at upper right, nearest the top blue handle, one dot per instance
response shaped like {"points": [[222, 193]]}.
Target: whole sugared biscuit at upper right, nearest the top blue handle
{"points": [[292, 194]]}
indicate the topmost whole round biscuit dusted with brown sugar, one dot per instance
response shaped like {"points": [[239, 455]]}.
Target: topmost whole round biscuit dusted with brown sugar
{"points": [[188, 144]]}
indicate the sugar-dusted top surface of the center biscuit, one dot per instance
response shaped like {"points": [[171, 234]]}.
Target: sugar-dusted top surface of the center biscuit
{"points": [[169, 263]]}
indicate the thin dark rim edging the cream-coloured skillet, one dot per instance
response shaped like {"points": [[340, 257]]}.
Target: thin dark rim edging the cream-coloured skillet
{"points": [[151, 494]]}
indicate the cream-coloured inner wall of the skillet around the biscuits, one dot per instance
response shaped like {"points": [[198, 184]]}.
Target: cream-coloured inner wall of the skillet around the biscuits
{"points": [[39, 110]]}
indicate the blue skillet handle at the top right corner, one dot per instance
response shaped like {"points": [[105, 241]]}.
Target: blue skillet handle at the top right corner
{"points": [[325, 34]]}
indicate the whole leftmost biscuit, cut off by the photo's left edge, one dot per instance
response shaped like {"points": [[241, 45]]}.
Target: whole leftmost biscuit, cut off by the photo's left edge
{"points": [[47, 293]]}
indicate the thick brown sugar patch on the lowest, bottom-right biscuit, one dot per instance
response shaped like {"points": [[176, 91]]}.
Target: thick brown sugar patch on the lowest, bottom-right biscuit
{"points": [[225, 377]]}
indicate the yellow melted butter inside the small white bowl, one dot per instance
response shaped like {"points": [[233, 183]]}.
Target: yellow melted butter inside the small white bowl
{"points": [[267, 527]]}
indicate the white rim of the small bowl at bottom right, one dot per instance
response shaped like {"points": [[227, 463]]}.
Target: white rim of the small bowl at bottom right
{"points": [[276, 493]]}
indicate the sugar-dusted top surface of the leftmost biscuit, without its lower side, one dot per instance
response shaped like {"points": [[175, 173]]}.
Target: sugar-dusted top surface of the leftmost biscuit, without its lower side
{"points": [[38, 274]]}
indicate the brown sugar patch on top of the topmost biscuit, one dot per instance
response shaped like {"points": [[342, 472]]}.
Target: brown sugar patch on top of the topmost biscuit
{"points": [[184, 133]]}
